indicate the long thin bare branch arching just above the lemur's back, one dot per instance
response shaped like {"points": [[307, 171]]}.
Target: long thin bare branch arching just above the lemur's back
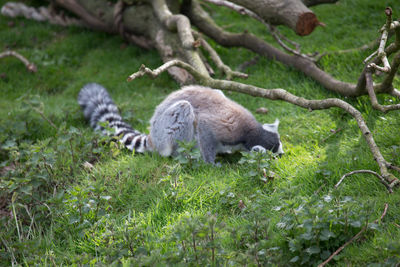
{"points": [[280, 94]]}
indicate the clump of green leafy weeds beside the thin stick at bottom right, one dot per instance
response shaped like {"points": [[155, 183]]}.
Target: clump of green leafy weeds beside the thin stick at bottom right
{"points": [[314, 229]]}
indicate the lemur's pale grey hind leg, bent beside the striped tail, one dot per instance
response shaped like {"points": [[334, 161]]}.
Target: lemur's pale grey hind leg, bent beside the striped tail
{"points": [[176, 123]]}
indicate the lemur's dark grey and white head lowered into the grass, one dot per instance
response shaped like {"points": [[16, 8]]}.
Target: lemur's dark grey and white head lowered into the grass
{"points": [[270, 139]]}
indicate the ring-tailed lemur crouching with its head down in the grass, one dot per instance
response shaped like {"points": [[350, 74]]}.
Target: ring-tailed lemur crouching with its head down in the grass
{"points": [[218, 124]]}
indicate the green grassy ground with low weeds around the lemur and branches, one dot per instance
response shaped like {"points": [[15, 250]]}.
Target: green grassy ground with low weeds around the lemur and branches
{"points": [[148, 210]]}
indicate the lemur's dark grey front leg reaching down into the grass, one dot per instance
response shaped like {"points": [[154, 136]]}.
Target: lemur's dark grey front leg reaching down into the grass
{"points": [[207, 142]]}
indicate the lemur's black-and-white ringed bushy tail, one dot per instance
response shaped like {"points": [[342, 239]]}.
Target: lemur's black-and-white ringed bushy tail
{"points": [[98, 107]]}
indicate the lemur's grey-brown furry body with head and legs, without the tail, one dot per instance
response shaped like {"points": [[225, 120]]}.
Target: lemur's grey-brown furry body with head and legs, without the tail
{"points": [[220, 125]]}
